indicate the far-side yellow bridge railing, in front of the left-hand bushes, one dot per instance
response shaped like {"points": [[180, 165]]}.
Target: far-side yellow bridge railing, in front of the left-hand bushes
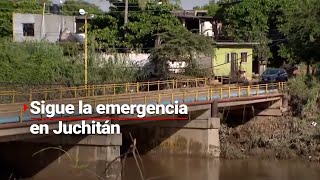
{"points": [[97, 90]]}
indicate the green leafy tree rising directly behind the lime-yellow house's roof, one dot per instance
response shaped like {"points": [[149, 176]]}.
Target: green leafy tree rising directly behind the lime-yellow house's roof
{"points": [[255, 21]]}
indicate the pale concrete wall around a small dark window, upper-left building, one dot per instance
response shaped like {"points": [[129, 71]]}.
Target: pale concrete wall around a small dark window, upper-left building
{"points": [[50, 29]]}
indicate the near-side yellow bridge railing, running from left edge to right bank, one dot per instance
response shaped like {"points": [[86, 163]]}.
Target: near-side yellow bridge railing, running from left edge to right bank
{"points": [[187, 96]]}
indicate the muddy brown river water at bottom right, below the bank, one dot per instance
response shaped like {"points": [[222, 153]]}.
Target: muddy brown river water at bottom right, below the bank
{"points": [[182, 168]]}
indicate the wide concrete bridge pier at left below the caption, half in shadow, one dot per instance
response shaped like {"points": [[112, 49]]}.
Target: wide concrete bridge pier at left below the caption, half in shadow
{"points": [[70, 155]]}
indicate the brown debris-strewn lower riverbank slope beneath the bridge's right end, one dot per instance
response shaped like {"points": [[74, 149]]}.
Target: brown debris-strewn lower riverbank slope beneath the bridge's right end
{"points": [[271, 138]]}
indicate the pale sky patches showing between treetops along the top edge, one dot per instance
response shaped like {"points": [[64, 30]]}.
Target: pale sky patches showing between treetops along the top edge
{"points": [[186, 4]]}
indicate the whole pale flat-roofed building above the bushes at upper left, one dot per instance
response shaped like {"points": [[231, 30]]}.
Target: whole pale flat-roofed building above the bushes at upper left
{"points": [[49, 27]]}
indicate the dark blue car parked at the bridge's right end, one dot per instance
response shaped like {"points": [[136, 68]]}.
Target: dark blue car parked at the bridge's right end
{"points": [[271, 75]]}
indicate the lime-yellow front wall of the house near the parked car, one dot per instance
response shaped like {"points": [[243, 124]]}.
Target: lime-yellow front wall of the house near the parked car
{"points": [[222, 68]]}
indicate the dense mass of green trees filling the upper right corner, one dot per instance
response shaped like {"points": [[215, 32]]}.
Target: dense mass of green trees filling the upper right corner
{"points": [[287, 30]]}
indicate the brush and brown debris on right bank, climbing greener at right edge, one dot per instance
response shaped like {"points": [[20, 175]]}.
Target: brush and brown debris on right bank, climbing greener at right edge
{"points": [[293, 136]]}
